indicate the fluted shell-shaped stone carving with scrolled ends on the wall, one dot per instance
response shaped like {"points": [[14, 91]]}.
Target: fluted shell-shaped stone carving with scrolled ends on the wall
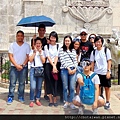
{"points": [[87, 10]]}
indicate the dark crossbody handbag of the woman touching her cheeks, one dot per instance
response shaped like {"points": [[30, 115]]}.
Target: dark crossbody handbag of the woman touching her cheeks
{"points": [[38, 71]]}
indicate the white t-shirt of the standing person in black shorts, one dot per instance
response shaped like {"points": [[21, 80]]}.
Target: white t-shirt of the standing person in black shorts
{"points": [[100, 59]]}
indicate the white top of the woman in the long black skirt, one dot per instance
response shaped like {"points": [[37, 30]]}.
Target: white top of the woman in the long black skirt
{"points": [[52, 52]]}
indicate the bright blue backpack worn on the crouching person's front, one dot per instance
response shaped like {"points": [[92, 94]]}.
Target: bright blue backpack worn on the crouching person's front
{"points": [[87, 92]]}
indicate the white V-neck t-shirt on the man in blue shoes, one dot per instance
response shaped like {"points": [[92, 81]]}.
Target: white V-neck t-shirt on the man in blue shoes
{"points": [[19, 52]]}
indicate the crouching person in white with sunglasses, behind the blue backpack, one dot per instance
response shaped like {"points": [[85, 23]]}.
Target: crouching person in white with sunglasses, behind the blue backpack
{"points": [[98, 101]]}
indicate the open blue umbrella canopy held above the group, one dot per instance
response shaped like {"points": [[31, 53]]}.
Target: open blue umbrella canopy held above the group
{"points": [[35, 21]]}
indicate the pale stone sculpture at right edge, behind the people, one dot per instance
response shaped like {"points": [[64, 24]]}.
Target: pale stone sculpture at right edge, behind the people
{"points": [[113, 43]]}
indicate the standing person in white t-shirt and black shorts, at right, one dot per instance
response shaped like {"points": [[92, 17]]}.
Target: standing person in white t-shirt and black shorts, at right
{"points": [[101, 64]]}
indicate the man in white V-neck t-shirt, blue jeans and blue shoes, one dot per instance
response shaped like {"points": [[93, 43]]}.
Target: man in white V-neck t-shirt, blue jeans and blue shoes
{"points": [[18, 55]]}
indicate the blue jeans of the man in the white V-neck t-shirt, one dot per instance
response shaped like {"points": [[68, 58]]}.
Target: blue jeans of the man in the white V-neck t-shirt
{"points": [[21, 76]]}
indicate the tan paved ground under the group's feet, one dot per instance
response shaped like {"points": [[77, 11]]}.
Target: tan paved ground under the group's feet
{"points": [[18, 108]]}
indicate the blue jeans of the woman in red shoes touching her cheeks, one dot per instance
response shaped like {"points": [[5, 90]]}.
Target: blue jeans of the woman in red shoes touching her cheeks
{"points": [[35, 85]]}
